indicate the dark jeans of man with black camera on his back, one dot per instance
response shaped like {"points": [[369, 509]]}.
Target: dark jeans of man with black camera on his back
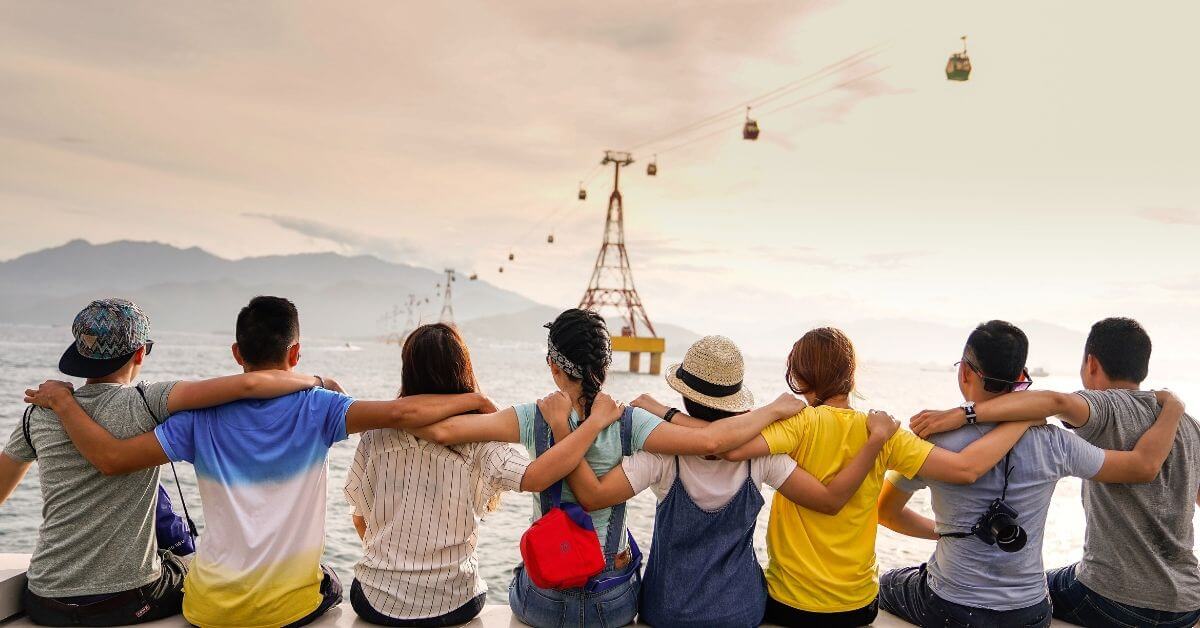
{"points": [[907, 595]]}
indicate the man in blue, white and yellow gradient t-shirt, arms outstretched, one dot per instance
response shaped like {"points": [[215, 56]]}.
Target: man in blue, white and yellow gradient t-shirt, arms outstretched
{"points": [[261, 471]]}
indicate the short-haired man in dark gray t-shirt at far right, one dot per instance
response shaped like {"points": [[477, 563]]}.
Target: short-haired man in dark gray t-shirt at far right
{"points": [[1144, 529]]}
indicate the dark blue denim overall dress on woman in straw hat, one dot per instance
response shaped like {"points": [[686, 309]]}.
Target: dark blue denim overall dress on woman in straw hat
{"points": [[703, 569]]}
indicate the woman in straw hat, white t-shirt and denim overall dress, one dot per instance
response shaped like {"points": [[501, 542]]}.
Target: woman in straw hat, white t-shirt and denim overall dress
{"points": [[703, 569]]}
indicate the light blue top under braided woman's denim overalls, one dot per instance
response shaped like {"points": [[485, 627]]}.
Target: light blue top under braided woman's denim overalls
{"points": [[602, 457]]}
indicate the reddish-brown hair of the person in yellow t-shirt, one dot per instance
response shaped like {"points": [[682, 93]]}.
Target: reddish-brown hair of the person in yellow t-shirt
{"points": [[823, 363]]}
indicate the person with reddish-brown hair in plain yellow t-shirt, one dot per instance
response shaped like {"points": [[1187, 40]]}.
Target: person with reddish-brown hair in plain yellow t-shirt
{"points": [[823, 569]]}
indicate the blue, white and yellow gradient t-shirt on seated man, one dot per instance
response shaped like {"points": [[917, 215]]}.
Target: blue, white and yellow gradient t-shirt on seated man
{"points": [[261, 471]]}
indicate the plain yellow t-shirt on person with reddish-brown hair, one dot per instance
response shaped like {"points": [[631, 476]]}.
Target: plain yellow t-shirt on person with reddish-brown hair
{"points": [[826, 564]]}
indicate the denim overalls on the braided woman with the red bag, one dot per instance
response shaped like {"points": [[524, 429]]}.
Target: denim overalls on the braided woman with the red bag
{"points": [[610, 600]]}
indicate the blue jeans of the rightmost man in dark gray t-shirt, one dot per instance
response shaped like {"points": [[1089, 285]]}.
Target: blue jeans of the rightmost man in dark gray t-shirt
{"points": [[1076, 603]]}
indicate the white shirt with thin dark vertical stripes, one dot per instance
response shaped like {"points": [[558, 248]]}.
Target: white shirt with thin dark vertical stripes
{"points": [[422, 504]]}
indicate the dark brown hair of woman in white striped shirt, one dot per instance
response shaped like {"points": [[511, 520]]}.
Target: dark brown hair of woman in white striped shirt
{"points": [[436, 362]]}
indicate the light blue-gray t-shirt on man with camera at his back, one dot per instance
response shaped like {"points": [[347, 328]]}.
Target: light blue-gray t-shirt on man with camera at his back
{"points": [[968, 571]]}
